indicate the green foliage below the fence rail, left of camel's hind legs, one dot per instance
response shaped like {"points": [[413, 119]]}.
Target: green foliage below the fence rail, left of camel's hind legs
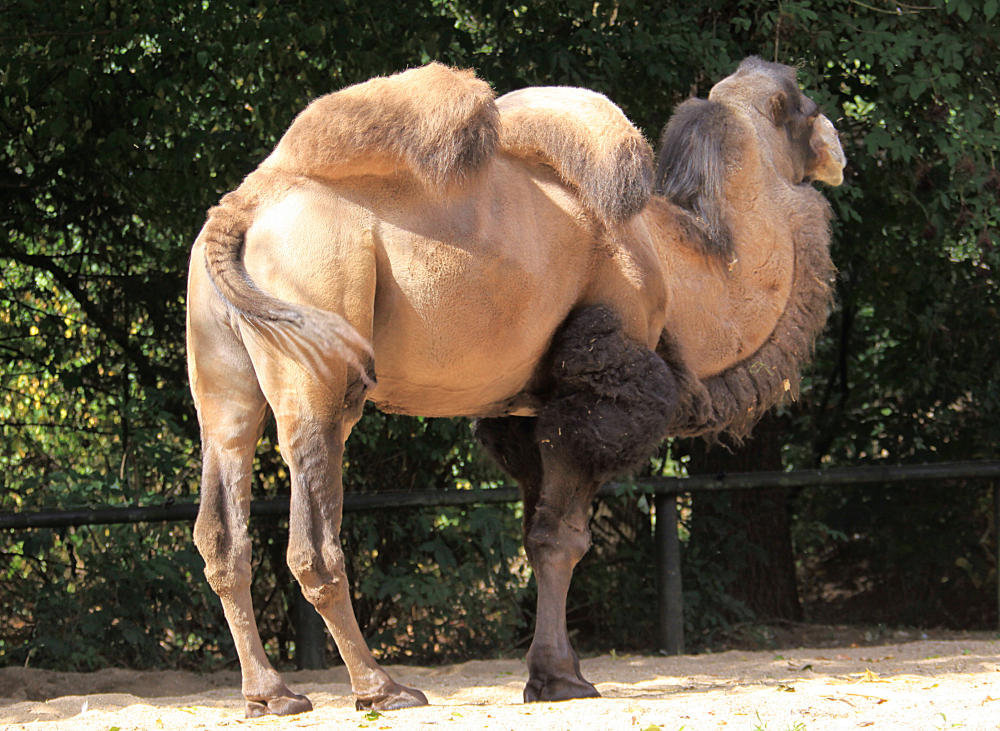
{"points": [[93, 597]]}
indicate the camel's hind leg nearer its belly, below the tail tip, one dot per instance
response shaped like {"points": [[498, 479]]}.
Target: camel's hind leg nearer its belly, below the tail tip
{"points": [[314, 418]]}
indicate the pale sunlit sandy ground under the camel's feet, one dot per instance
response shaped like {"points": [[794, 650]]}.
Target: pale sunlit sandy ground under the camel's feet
{"points": [[919, 685]]}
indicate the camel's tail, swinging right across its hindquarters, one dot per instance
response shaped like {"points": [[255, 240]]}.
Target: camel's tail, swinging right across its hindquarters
{"points": [[315, 338]]}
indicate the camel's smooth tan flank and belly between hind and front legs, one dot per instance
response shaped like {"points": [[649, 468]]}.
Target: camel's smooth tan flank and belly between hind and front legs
{"points": [[466, 303]]}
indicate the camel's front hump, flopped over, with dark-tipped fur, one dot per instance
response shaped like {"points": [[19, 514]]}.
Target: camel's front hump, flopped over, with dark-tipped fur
{"points": [[587, 139]]}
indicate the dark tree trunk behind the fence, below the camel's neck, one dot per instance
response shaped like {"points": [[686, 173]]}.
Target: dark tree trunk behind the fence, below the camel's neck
{"points": [[748, 530]]}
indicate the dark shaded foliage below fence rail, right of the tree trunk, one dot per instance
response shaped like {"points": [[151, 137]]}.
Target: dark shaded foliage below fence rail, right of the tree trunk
{"points": [[898, 556]]}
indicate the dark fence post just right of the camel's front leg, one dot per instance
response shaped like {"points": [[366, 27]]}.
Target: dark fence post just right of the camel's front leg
{"points": [[671, 595]]}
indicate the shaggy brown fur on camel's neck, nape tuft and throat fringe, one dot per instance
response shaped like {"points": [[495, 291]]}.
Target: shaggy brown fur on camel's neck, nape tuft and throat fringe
{"points": [[695, 174]]}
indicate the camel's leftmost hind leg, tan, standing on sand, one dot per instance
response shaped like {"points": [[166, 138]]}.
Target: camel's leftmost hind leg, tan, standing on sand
{"points": [[231, 410]]}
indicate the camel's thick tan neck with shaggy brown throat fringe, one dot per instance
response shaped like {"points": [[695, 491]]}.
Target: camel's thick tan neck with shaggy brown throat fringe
{"points": [[744, 323]]}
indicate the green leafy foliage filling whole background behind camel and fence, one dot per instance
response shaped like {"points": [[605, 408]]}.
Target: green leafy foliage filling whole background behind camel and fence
{"points": [[124, 122]]}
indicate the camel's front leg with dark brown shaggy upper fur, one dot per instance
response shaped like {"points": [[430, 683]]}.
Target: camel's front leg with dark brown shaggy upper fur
{"points": [[609, 405]]}
